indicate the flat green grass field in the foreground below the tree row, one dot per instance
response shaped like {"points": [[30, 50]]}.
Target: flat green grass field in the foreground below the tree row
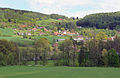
{"points": [[58, 72]]}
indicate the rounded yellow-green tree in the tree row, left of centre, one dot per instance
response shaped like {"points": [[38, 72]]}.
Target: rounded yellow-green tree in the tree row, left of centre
{"points": [[43, 46]]}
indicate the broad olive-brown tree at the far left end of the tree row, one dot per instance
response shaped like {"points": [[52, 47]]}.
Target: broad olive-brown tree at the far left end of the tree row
{"points": [[8, 53]]}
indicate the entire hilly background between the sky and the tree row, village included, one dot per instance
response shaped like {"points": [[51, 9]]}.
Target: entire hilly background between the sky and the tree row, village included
{"points": [[25, 27]]}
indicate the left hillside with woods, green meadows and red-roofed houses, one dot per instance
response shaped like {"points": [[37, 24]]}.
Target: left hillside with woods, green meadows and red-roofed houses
{"points": [[24, 27]]}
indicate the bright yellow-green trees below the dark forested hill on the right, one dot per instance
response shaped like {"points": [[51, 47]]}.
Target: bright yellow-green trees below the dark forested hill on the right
{"points": [[92, 33]]}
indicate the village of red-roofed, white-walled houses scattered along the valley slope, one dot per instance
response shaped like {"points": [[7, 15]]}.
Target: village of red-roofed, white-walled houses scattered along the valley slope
{"points": [[43, 31]]}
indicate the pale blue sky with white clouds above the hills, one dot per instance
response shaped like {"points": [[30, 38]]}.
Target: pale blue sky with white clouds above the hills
{"points": [[70, 8]]}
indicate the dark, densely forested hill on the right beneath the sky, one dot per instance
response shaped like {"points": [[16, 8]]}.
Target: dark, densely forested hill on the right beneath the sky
{"points": [[101, 20]]}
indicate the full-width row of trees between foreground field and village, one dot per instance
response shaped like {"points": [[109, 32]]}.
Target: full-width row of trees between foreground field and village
{"points": [[67, 53]]}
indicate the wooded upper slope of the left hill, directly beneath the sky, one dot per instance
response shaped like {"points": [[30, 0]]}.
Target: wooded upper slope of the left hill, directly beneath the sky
{"points": [[22, 16]]}
